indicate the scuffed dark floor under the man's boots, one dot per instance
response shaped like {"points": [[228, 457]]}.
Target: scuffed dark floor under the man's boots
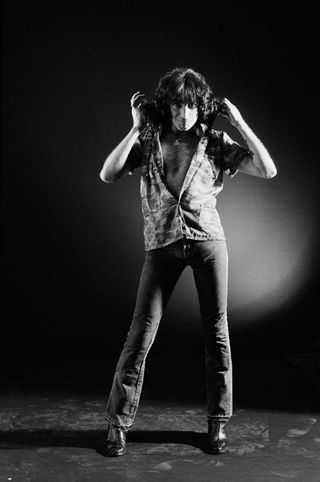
{"points": [[50, 438]]}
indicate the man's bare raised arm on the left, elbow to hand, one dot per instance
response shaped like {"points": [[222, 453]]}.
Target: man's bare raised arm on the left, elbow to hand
{"points": [[116, 163]]}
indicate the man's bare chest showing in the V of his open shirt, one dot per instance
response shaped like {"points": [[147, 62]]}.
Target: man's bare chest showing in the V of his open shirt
{"points": [[176, 161]]}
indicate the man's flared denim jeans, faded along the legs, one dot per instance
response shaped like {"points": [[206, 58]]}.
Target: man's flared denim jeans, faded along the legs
{"points": [[161, 270]]}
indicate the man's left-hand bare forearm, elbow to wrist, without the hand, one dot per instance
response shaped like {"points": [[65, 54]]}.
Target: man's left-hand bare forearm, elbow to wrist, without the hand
{"points": [[116, 160]]}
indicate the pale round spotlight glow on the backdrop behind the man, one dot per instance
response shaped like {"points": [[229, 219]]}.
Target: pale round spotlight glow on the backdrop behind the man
{"points": [[271, 242]]}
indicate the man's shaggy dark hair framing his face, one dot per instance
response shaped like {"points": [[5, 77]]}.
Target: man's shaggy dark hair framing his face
{"points": [[186, 86]]}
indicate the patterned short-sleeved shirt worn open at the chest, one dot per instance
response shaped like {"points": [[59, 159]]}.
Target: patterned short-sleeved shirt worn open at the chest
{"points": [[193, 215]]}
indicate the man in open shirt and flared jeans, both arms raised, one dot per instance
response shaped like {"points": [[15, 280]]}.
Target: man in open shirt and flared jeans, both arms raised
{"points": [[183, 160]]}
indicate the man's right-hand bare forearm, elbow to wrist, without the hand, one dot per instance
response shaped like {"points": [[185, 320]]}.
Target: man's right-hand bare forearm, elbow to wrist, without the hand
{"points": [[261, 159]]}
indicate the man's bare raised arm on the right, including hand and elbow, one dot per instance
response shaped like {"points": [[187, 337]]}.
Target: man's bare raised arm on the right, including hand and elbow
{"points": [[260, 164]]}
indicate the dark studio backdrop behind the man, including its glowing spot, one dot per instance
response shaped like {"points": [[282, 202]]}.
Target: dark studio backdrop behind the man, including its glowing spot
{"points": [[72, 246]]}
